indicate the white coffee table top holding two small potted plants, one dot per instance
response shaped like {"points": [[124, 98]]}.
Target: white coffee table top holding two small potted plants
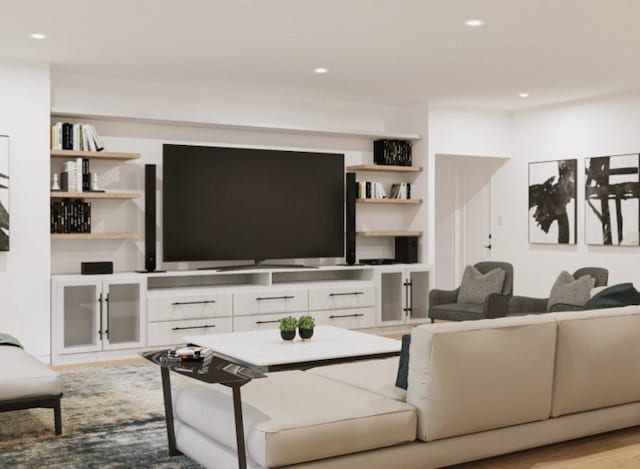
{"points": [[266, 348]]}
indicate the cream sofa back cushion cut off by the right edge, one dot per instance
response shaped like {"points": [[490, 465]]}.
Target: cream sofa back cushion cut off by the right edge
{"points": [[597, 359]]}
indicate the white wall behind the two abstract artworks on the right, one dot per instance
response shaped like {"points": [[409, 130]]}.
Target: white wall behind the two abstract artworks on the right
{"points": [[598, 127]]}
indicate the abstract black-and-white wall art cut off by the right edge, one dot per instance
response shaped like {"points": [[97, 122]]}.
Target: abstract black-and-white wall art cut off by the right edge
{"points": [[612, 206]]}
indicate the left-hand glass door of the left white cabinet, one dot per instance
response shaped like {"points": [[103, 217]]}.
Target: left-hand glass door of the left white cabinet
{"points": [[80, 329]]}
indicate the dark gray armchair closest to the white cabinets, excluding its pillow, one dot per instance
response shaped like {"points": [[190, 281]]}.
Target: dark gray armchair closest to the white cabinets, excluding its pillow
{"points": [[443, 304]]}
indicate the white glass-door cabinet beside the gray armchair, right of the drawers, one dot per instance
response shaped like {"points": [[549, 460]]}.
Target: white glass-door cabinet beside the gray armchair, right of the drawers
{"points": [[403, 294]]}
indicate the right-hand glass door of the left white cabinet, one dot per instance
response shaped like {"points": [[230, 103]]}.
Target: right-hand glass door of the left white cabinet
{"points": [[122, 314]]}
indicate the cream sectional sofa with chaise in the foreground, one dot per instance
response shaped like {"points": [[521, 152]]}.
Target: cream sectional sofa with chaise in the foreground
{"points": [[476, 389]]}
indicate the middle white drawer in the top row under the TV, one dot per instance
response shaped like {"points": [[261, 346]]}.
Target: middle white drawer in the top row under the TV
{"points": [[270, 301]]}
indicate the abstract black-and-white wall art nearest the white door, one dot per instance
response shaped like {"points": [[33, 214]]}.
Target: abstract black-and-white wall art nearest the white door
{"points": [[552, 202]]}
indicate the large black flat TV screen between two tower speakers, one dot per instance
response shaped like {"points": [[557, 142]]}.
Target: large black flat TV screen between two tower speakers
{"points": [[242, 203]]}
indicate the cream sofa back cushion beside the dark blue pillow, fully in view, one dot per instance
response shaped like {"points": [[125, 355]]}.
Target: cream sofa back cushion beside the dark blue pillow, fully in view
{"points": [[478, 375]]}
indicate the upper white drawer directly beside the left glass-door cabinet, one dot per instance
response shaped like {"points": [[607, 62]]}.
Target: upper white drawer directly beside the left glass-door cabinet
{"points": [[188, 305]]}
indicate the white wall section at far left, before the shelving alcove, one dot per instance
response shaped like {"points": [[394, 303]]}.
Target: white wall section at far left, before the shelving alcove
{"points": [[25, 269]]}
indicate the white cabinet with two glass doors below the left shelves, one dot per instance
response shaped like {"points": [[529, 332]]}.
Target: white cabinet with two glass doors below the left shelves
{"points": [[97, 313]]}
